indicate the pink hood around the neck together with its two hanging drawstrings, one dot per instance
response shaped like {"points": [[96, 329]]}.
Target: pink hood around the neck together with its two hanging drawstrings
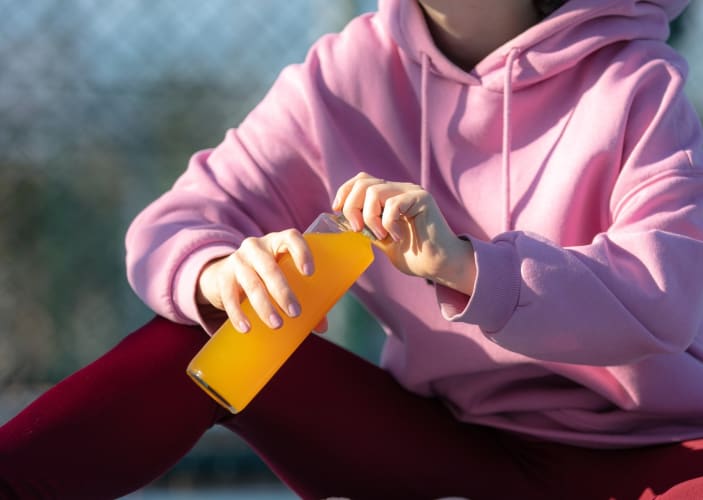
{"points": [[551, 46]]}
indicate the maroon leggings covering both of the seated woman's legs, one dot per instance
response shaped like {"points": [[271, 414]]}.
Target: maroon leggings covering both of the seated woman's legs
{"points": [[328, 424]]}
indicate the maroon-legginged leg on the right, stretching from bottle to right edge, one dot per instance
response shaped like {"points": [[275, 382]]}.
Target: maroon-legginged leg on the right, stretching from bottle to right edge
{"points": [[331, 424]]}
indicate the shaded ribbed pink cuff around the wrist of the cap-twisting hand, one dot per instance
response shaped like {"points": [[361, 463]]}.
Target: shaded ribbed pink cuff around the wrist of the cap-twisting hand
{"points": [[496, 291]]}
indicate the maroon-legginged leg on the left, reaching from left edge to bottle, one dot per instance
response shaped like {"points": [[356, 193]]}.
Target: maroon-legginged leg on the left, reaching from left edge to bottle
{"points": [[113, 426]]}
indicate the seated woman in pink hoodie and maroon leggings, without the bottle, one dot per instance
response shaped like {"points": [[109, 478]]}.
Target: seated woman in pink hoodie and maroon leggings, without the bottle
{"points": [[541, 170]]}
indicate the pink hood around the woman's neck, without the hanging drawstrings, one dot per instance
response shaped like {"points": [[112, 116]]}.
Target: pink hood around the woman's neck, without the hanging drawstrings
{"points": [[570, 34]]}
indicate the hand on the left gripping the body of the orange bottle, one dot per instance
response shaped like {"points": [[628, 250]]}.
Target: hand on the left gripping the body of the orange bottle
{"points": [[252, 271]]}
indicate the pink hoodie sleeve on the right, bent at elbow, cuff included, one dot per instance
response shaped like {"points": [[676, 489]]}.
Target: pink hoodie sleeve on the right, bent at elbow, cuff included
{"points": [[635, 290]]}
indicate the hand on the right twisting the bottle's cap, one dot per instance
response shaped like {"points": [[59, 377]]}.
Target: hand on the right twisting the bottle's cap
{"points": [[410, 228]]}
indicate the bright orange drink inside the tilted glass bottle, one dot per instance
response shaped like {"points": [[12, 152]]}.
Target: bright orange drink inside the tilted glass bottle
{"points": [[233, 367]]}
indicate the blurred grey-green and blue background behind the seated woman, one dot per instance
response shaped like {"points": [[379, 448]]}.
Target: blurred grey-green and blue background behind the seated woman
{"points": [[102, 102]]}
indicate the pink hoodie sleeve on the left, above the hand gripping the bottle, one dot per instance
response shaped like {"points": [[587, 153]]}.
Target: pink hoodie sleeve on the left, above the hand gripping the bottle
{"points": [[266, 175]]}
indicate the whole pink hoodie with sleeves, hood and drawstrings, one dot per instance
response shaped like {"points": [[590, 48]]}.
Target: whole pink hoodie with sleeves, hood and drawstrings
{"points": [[571, 158]]}
